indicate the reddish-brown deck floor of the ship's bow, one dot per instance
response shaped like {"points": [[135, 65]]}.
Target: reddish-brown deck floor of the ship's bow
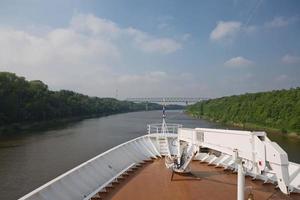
{"points": [[153, 181]]}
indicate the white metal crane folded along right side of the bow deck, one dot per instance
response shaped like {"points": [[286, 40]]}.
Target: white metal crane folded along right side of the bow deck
{"points": [[262, 158]]}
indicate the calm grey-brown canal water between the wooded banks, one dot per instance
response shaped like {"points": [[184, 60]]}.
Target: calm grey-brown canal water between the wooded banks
{"points": [[28, 160]]}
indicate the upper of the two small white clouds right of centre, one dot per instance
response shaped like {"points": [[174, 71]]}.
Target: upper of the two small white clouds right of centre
{"points": [[225, 30]]}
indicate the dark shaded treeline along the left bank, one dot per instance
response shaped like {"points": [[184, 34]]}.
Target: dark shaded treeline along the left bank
{"points": [[31, 101]]}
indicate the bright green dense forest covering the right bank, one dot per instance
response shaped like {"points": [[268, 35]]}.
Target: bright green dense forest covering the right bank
{"points": [[275, 110]]}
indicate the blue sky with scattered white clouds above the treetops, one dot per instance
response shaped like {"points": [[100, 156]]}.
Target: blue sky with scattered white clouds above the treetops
{"points": [[134, 48]]}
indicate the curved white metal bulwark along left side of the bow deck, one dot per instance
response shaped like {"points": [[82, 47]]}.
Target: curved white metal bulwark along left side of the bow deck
{"points": [[88, 178]]}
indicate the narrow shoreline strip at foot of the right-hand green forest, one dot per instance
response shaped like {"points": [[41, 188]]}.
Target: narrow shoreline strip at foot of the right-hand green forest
{"points": [[248, 126]]}
